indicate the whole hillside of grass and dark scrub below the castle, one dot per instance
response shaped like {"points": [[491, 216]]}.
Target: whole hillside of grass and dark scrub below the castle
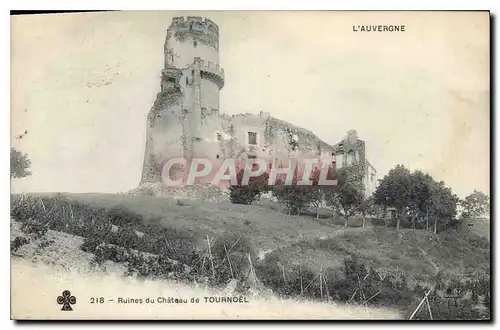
{"points": [[293, 256]]}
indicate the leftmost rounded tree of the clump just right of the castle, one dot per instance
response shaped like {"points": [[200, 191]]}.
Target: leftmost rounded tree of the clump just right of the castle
{"points": [[395, 191]]}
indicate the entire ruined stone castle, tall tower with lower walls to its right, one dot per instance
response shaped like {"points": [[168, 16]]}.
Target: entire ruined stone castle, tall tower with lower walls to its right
{"points": [[185, 120]]}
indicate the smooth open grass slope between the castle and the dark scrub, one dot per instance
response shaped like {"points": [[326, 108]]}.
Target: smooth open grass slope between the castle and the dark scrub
{"points": [[305, 240]]}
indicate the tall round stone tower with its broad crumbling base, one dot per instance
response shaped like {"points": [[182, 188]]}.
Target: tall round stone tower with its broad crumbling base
{"points": [[190, 83]]}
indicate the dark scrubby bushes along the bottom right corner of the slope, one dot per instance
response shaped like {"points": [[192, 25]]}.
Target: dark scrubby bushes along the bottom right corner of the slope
{"points": [[365, 286]]}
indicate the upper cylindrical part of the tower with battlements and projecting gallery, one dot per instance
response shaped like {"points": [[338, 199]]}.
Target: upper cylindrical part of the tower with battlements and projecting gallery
{"points": [[192, 45]]}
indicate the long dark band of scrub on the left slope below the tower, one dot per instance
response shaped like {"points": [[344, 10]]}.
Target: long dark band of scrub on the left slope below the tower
{"points": [[38, 214]]}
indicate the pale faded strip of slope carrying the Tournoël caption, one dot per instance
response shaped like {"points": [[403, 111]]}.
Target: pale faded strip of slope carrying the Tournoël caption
{"points": [[45, 272]]}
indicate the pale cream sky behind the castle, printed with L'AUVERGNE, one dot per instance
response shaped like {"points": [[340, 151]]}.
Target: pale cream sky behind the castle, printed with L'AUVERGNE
{"points": [[82, 85]]}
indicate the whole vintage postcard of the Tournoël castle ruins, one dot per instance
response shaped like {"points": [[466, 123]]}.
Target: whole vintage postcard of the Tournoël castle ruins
{"points": [[237, 165]]}
